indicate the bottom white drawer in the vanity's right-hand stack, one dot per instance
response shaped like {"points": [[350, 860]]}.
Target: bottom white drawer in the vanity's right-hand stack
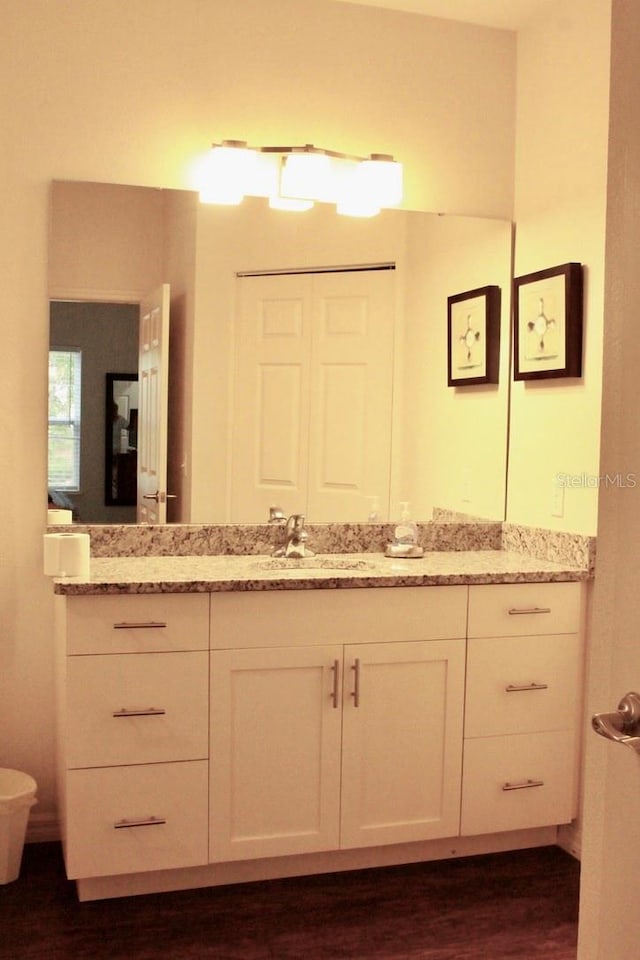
{"points": [[516, 782]]}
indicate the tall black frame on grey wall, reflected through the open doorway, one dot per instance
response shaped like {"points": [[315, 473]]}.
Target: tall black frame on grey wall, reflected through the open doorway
{"points": [[120, 440]]}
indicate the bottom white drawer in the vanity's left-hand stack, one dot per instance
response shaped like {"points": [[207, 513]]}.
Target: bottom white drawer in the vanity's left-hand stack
{"points": [[110, 825]]}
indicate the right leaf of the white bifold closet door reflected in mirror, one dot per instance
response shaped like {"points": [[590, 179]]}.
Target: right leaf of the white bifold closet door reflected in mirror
{"points": [[351, 392]]}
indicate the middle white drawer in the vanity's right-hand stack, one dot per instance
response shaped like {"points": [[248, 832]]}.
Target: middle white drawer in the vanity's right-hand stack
{"points": [[522, 684]]}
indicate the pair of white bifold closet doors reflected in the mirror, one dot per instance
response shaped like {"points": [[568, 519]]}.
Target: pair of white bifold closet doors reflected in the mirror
{"points": [[312, 395]]}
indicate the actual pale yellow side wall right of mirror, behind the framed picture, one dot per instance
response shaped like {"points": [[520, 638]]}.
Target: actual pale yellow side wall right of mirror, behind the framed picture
{"points": [[560, 201]]}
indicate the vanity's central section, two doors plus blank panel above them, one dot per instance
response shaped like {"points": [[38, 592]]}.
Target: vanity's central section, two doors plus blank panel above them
{"points": [[336, 719]]}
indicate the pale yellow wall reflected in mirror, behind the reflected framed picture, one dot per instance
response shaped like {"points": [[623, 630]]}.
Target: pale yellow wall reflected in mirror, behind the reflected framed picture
{"points": [[454, 439]]}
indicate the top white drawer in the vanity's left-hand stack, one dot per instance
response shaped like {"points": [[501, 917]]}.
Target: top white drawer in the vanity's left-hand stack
{"points": [[137, 624]]}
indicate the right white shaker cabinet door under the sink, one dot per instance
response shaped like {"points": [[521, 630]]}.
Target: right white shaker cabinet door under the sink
{"points": [[402, 741]]}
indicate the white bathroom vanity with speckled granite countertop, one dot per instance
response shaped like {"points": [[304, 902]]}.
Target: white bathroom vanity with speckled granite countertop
{"points": [[225, 719]]}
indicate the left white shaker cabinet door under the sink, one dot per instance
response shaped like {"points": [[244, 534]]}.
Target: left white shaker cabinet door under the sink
{"points": [[275, 747]]}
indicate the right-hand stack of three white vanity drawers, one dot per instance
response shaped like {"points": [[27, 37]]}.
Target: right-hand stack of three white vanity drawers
{"points": [[523, 697]]}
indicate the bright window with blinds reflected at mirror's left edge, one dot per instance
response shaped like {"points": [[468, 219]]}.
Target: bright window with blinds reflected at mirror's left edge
{"points": [[65, 377]]}
